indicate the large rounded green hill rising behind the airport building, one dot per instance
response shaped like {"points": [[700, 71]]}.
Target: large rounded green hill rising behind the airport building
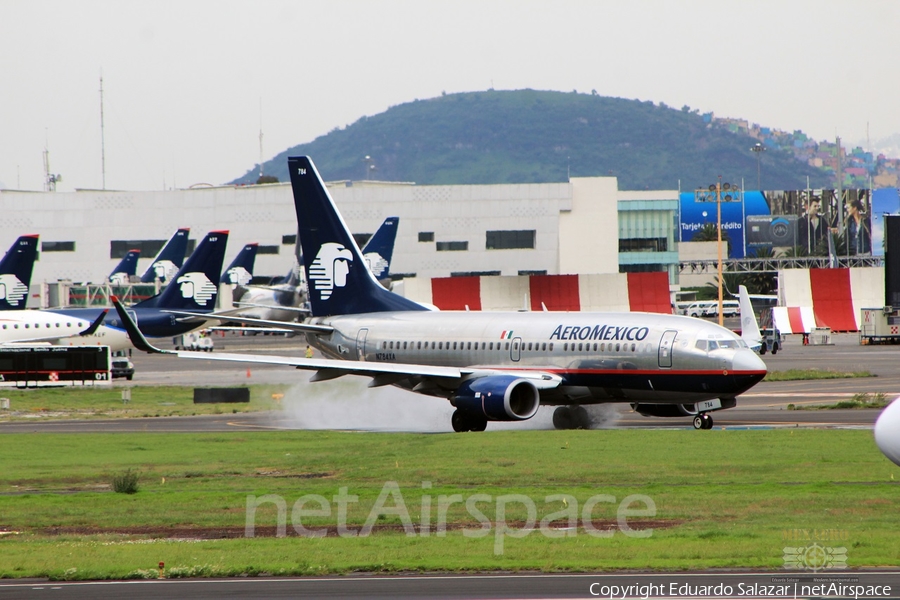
{"points": [[529, 136]]}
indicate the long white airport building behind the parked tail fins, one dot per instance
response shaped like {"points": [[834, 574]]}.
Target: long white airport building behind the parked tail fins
{"points": [[585, 226]]}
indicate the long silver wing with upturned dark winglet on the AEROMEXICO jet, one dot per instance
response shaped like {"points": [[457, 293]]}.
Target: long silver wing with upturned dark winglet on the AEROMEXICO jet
{"points": [[382, 373]]}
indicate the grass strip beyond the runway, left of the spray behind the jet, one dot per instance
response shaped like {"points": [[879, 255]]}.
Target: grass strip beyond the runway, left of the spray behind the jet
{"points": [[106, 402]]}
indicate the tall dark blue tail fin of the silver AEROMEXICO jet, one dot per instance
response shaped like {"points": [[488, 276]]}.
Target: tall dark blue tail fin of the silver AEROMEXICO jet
{"points": [[337, 276]]}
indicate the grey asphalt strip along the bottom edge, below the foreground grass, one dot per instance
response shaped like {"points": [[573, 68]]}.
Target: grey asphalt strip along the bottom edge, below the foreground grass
{"points": [[673, 585]]}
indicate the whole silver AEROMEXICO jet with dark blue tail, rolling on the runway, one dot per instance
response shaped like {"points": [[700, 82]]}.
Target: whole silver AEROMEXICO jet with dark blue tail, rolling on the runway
{"points": [[496, 365]]}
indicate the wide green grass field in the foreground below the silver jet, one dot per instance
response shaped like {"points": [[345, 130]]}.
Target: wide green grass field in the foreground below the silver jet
{"points": [[721, 499]]}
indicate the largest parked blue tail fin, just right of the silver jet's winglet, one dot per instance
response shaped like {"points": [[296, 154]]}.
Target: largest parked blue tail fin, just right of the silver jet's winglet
{"points": [[195, 286]]}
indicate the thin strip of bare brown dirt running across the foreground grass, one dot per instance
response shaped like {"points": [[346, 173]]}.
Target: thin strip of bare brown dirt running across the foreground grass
{"points": [[213, 533]]}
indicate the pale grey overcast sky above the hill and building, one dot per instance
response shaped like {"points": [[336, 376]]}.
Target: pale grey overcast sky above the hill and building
{"points": [[188, 83]]}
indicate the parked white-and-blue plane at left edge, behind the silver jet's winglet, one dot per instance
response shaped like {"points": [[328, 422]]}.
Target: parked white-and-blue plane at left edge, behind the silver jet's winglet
{"points": [[193, 288]]}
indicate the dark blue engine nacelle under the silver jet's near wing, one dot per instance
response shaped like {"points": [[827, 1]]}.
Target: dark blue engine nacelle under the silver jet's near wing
{"points": [[498, 398]]}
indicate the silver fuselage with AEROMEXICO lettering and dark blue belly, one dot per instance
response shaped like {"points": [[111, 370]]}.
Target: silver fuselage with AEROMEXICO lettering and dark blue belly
{"points": [[600, 356]]}
